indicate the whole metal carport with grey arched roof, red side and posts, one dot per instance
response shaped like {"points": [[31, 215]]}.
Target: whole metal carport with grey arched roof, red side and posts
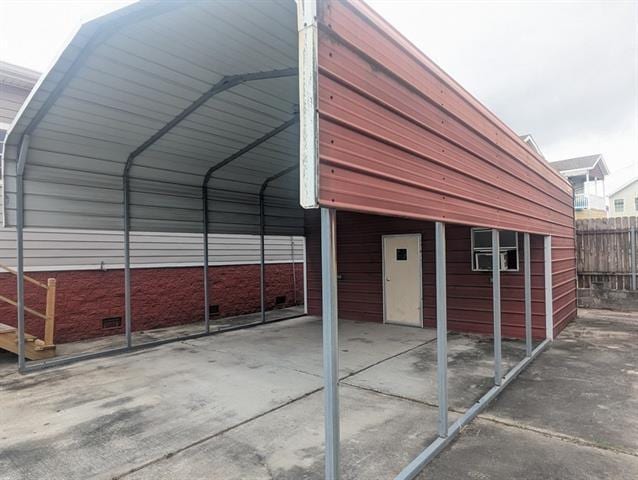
{"points": [[177, 116]]}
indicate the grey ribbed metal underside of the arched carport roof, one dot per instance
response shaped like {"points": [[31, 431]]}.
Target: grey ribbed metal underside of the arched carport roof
{"points": [[164, 91]]}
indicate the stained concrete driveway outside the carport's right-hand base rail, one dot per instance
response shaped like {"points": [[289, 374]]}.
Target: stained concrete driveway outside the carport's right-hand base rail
{"points": [[573, 414]]}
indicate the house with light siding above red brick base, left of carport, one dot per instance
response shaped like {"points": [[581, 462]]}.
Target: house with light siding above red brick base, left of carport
{"points": [[88, 264]]}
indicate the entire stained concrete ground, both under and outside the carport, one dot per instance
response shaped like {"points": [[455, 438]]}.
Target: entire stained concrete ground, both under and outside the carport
{"points": [[248, 405]]}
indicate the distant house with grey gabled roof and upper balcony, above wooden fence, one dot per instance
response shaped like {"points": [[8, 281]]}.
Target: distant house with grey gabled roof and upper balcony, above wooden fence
{"points": [[587, 175]]}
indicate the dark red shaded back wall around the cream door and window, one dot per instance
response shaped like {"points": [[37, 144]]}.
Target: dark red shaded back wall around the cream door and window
{"points": [[360, 292]]}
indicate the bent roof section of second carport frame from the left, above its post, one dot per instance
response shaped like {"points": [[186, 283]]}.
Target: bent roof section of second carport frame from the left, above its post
{"points": [[224, 84]]}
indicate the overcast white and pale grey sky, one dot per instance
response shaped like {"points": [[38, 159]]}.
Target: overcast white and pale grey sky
{"points": [[564, 71]]}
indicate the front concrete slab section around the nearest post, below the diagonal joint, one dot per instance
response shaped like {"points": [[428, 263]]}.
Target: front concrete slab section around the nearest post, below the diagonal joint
{"points": [[380, 434]]}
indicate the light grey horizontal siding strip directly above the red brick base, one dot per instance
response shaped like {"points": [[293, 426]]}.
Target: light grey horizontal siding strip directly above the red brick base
{"points": [[57, 249]]}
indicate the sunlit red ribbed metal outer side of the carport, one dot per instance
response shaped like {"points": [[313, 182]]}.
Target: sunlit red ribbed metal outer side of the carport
{"points": [[399, 137]]}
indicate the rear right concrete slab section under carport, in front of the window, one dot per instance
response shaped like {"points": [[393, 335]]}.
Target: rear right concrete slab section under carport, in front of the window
{"points": [[470, 371]]}
